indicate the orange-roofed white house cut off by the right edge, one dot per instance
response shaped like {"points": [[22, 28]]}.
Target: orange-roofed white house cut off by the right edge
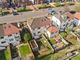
{"points": [[74, 18]]}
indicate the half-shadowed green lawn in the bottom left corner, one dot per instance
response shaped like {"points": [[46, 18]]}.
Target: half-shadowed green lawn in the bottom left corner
{"points": [[5, 55]]}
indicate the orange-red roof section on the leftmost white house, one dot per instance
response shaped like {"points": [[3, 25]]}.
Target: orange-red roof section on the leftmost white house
{"points": [[10, 29]]}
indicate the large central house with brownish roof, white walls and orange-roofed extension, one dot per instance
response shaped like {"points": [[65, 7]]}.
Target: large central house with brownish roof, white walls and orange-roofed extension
{"points": [[41, 26]]}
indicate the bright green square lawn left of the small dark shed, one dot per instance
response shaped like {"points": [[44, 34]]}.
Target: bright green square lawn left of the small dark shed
{"points": [[24, 49]]}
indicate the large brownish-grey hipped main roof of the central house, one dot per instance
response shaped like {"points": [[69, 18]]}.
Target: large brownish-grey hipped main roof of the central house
{"points": [[40, 22]]}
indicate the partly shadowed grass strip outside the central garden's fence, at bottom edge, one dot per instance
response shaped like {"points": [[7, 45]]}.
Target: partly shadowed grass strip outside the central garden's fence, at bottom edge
{"points": [[53, 56]]}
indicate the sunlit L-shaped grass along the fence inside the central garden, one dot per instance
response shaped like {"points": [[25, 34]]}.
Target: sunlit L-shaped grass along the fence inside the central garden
{"points": [[47, 47]]}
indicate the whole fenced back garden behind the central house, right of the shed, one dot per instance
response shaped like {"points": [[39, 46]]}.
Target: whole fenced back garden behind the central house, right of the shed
{"points": [[44, 47]]}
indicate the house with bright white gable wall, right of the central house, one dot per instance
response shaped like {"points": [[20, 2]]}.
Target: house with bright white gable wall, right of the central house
{"points": [[59, 21]]}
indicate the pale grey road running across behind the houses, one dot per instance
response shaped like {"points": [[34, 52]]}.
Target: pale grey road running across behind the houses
{"points": [[24, 16]]}
